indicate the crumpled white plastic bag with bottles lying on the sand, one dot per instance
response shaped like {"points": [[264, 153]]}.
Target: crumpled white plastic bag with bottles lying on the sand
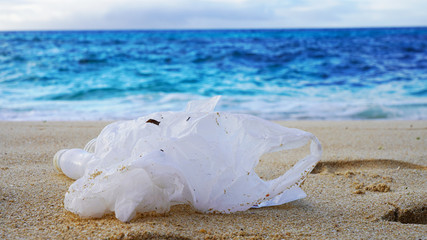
{"points": [[197, 157]]}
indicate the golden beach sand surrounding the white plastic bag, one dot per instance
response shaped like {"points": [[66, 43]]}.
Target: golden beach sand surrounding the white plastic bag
{"points": [[370, 183]]}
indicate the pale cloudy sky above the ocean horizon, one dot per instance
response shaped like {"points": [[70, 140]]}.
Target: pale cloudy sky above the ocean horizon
{"points": [[208, 14]]}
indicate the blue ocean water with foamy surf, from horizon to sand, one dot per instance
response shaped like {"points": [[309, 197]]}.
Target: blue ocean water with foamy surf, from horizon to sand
{"points": [[276, 74]]}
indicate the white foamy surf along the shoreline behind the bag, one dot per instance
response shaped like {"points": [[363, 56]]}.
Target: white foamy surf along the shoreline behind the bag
{"points": [[269, 107]]}
